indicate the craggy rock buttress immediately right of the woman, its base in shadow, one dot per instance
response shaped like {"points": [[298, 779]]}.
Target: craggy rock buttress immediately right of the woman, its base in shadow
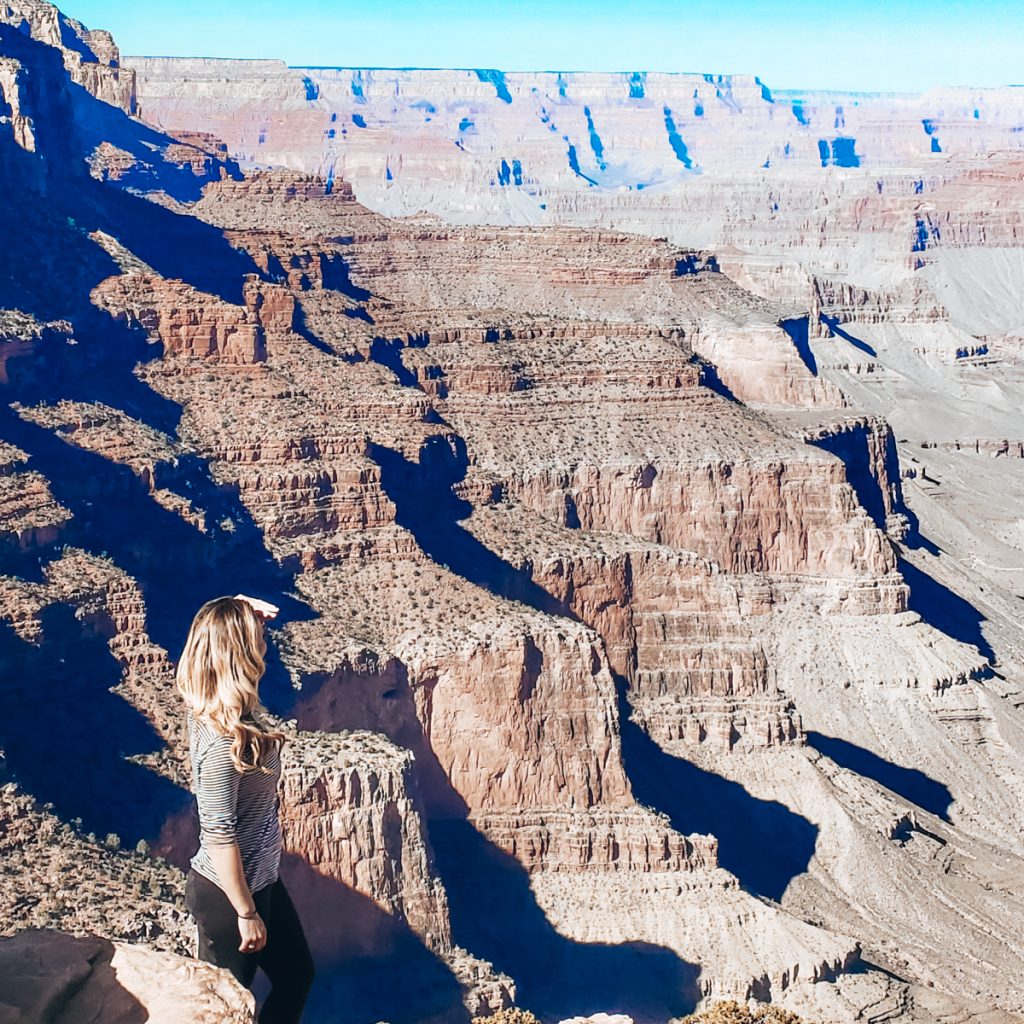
{"points": [[359, 861]]}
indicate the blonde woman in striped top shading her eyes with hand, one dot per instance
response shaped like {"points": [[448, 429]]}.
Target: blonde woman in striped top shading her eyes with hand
{"points": [[246, 919]]}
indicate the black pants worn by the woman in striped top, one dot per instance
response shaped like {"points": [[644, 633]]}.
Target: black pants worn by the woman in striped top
{"points": [[285, 959]]}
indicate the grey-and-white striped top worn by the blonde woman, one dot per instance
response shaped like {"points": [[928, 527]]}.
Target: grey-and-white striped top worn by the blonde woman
{"points": [[235, 807]]}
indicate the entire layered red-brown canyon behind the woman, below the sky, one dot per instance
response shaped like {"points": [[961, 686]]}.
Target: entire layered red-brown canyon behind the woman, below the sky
{"points": [[635, 460]]}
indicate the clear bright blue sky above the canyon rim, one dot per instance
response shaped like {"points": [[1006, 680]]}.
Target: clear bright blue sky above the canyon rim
{"points": [[842, 45]]}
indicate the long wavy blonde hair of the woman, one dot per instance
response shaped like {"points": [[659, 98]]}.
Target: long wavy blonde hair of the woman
{"points": [[219, 676]]}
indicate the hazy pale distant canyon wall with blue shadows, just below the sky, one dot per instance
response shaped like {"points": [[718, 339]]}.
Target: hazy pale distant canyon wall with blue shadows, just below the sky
{"points": [[421, 135]]}
